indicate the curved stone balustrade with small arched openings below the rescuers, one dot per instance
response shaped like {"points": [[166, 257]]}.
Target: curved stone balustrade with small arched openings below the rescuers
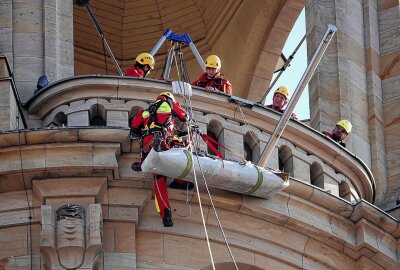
{"points": [[245, 129]]}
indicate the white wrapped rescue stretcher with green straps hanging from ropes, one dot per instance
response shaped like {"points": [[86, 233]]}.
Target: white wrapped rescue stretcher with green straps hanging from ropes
{"points": [[241, 177]]}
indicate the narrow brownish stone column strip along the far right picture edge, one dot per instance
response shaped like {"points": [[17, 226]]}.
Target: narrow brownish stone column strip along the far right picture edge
{"points": [[389, 73]]}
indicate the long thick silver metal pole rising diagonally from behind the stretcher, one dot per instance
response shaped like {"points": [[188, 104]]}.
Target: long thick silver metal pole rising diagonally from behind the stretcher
{"points": [[296, 95]]}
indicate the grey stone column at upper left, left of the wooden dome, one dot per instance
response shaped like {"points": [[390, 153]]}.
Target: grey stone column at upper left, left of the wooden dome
{"points": [[37, 38]]}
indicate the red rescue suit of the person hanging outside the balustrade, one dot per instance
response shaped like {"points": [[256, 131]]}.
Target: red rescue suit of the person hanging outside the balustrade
{"points": [[158, 118]]}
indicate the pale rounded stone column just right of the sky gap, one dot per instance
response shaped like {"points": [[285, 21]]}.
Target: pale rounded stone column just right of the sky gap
{"points": [[338, 89]]}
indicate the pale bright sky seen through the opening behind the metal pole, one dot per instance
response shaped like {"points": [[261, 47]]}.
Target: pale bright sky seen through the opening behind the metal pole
{"points": [[292, 75]]}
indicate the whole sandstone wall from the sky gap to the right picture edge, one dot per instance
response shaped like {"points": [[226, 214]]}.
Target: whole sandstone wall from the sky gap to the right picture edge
{"points": [[358, 79]]}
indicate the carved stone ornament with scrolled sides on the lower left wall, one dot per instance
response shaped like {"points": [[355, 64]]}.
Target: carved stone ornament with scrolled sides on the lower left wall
{"points": [[70, 239]]}
